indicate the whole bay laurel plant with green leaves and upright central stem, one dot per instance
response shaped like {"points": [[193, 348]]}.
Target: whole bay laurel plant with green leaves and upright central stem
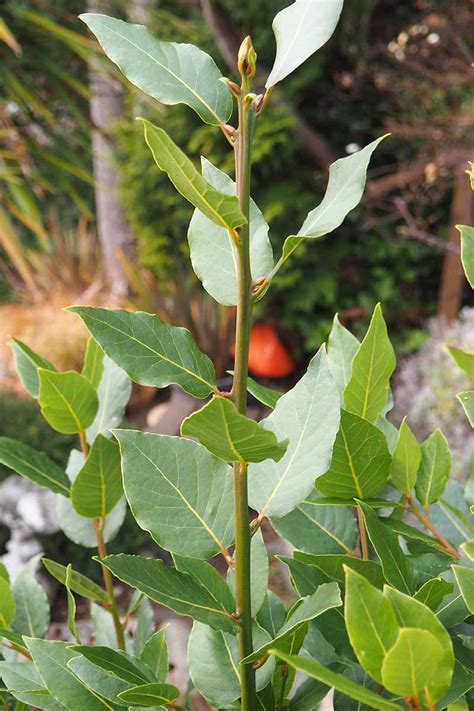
{"points": [[382, 539]]}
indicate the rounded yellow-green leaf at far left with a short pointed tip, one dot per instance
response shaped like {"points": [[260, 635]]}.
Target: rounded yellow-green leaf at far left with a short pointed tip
{"points": [[68, 401]]}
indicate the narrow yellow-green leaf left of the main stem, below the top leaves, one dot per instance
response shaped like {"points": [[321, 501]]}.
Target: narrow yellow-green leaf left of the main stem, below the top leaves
{"points": [[223, 210]]}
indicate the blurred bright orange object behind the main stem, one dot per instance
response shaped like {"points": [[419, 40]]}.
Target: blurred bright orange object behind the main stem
{"points": [[268, 357]]}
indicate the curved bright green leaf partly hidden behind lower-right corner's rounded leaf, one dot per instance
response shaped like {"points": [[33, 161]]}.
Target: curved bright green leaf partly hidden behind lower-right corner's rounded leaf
{"points": [[412, 613]]}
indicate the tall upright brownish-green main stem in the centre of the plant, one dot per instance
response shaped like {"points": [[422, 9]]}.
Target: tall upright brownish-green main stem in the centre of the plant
{"points": [[239, 394]]}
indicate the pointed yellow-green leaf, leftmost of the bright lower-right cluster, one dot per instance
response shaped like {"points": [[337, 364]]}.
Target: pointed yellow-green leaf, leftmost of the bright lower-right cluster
{"points": [[370, 621]]}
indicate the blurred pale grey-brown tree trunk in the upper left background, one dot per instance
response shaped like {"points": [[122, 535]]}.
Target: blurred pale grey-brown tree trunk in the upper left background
{"points": [[106, 108]]}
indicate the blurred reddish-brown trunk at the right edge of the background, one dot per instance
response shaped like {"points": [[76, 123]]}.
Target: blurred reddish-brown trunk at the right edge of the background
{"points": [[452, 275]]}
